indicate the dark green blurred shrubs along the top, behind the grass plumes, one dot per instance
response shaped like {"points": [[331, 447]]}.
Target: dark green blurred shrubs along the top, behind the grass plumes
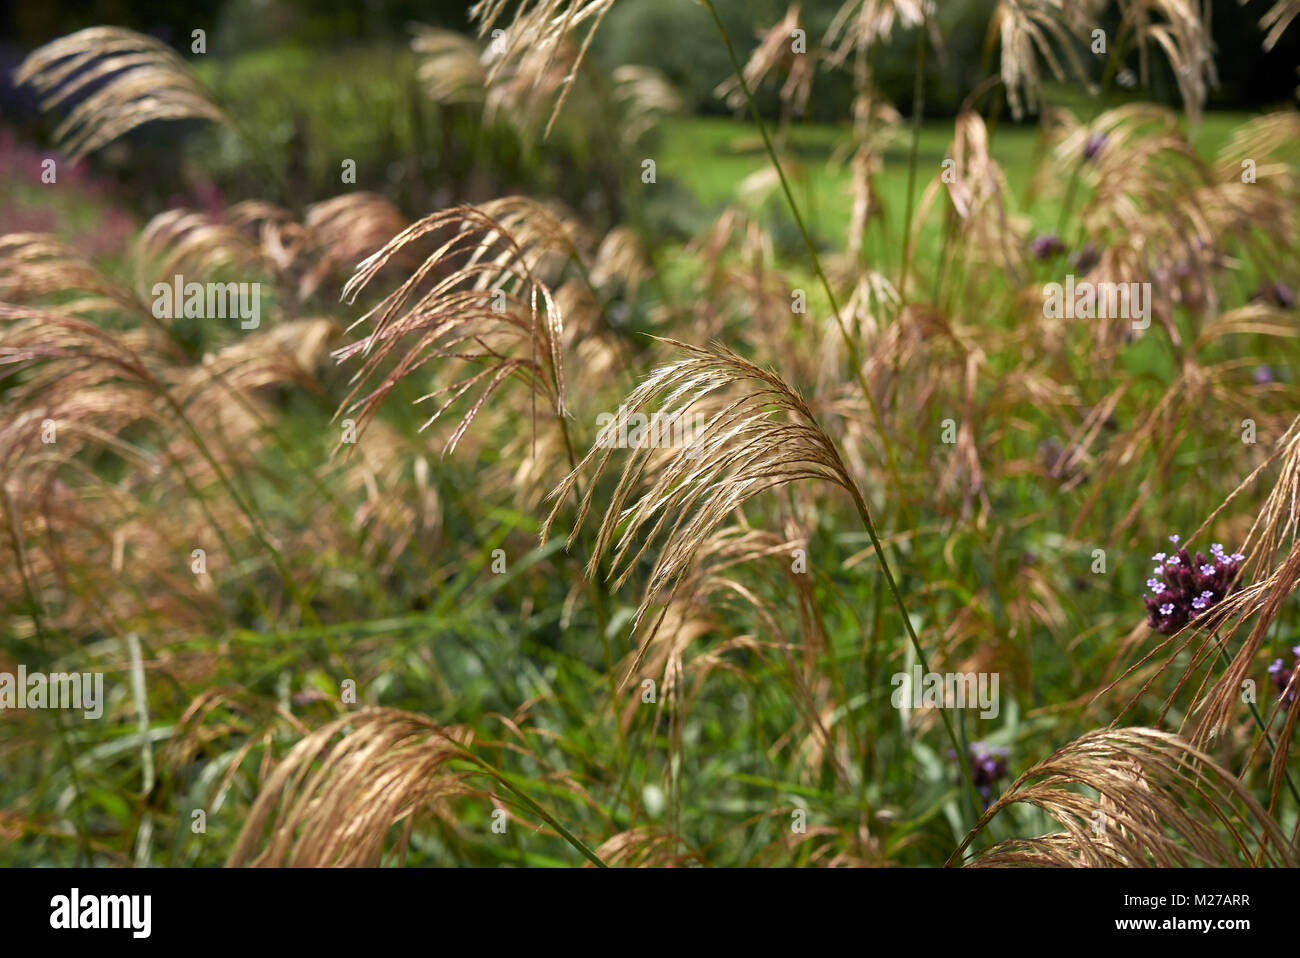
{"points": [[315, 84]]}
